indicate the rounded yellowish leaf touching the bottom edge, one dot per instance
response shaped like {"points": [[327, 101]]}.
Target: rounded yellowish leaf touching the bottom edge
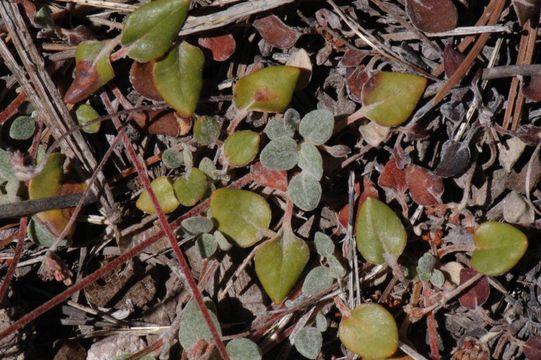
{"points": [[370, 332]]}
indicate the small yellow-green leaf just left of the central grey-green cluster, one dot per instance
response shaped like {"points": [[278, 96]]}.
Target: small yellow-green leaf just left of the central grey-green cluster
{"points": [[241, 147]]}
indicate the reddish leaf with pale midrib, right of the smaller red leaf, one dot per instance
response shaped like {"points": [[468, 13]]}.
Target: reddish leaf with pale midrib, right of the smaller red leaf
{"points": [[425, 187]]}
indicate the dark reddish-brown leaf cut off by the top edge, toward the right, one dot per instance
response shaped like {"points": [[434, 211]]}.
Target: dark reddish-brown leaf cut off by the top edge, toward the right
{"points": [[432, 15]]}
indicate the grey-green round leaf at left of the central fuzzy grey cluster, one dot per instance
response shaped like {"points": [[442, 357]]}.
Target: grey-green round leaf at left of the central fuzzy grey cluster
{"points": [[280, 154]]}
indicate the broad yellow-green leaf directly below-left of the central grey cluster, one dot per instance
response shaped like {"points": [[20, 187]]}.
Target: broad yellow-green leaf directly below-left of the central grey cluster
{"points": [[242, 215]]}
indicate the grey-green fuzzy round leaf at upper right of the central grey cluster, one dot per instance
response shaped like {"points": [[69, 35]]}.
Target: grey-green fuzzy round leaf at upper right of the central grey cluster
{"points": [[317, 126]]}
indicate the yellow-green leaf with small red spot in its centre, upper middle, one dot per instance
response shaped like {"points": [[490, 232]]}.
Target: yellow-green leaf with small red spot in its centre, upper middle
{"points": [[269, 89]]}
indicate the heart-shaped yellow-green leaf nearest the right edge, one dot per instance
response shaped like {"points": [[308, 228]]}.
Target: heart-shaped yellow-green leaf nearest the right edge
{"points": [[498, 248]]}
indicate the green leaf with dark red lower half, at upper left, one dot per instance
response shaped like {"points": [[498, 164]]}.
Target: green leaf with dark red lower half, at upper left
{"points": [[93, 69]]}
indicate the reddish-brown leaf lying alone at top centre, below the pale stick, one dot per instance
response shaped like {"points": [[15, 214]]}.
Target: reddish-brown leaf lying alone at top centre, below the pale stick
{"points": [[276, 33]]}
